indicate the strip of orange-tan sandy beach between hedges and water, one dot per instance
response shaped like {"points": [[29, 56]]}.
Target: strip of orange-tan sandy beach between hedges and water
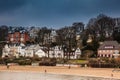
{"points": [[95, 72]]}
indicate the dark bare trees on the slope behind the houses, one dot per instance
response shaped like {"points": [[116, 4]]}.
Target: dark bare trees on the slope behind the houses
{"points": [[98, 29]]}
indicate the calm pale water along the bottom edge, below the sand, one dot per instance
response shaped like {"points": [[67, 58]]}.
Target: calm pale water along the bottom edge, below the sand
{"points": [[43, 76]]}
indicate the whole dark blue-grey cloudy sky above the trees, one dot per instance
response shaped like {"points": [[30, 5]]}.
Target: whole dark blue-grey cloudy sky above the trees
{"points": [[54, 13]]}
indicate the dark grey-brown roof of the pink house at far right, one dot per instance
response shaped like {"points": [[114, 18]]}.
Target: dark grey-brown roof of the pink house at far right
{"points": [[109, 45]]}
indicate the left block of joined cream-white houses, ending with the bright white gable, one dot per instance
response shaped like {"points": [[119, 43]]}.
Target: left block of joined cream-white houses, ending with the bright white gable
{"points": [[22, 50]]}
